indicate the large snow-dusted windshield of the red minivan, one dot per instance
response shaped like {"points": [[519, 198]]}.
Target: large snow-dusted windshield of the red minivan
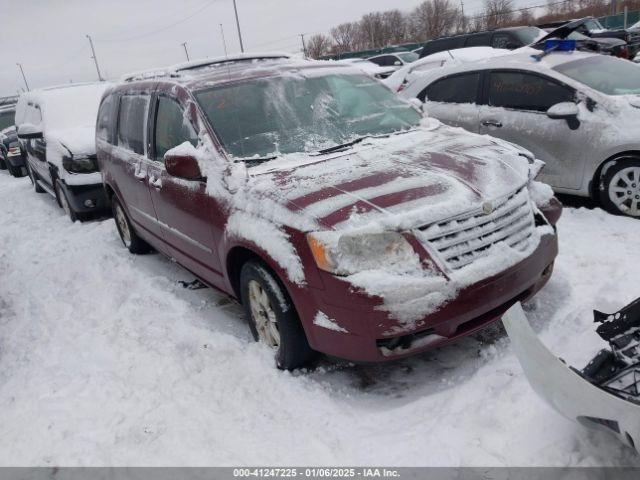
{"points": [[279, 115]]}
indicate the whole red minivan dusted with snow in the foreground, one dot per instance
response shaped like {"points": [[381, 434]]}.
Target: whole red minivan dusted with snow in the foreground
{"points": [[343, 219]]}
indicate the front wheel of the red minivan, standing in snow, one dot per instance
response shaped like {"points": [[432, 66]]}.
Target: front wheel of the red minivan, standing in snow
{"points": [[272, 317]]}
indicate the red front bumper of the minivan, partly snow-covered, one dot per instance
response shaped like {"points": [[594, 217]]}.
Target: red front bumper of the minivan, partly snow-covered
{"points": [[368, 336]]}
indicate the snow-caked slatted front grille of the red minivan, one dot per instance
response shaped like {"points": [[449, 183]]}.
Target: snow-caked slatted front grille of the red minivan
{"points": [[462, 240]]}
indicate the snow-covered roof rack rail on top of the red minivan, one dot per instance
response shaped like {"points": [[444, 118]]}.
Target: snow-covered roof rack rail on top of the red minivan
{"points": [[195, 65]]}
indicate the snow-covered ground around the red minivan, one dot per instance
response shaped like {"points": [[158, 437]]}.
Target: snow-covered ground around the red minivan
{"points": [[106, 360]]}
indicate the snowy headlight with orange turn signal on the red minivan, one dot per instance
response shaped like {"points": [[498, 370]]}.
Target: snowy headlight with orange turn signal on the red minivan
{"points": [[348, 254]]}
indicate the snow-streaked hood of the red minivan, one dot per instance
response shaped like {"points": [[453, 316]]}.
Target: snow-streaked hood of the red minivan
{"points": [[397, 182]]}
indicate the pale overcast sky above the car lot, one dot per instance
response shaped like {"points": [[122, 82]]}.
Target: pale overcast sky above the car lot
{"points": [[48, 36]]}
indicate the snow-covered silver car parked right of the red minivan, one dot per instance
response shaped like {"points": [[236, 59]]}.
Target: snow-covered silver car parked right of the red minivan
{"points": [[576, 111]]}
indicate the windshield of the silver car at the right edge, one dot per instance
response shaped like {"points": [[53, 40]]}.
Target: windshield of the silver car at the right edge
{"points": [[608, 75]]}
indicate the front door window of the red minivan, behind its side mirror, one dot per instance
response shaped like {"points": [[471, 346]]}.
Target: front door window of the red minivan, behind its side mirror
{"points": [[172, 128]]}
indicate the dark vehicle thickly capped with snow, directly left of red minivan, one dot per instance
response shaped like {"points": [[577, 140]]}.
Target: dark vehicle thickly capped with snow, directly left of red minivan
{"points": [[56, 130]]}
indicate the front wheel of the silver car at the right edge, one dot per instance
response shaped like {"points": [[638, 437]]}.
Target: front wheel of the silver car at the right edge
{"points": [[620, 188]]}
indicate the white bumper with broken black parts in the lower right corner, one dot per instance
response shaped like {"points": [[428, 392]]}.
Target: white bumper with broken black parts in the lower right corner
{"points": [[605, 395]]}
